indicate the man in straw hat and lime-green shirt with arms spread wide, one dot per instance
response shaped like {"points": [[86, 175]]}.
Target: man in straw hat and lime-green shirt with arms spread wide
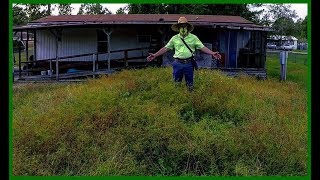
{"points": [[183, 66]]}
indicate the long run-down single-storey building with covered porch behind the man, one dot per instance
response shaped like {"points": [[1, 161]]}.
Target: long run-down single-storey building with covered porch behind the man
{"points": [[108, 42]]}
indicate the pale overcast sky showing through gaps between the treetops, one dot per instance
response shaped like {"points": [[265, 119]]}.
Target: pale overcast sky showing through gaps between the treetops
{"points": [[300, 8]]}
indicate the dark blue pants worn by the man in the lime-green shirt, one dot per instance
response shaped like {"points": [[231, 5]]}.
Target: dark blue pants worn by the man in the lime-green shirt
{"points": [[181, 70]]}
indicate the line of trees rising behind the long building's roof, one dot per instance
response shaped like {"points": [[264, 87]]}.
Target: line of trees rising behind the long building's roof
{"points": [[279, 17]]}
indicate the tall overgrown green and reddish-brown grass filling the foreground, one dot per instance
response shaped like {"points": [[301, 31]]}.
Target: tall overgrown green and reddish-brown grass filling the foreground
{"points": [[139, 122]]}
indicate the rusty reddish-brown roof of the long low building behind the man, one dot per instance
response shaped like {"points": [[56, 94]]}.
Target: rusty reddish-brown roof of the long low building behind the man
{"points": [[233, 22]]}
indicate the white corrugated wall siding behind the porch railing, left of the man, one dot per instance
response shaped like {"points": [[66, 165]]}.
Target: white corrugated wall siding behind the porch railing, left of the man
{"points": [[84, 41]]}
